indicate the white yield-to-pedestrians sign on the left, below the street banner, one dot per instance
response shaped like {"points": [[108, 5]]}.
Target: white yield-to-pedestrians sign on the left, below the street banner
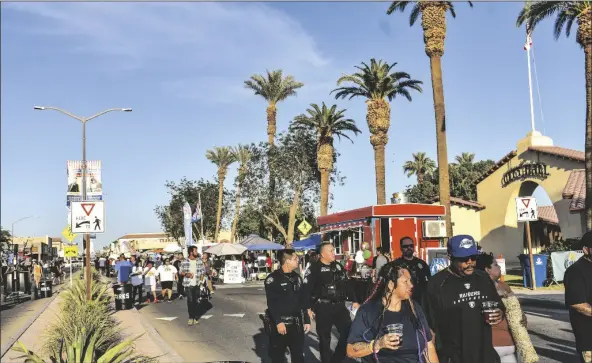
{"points": [[88, 217]]}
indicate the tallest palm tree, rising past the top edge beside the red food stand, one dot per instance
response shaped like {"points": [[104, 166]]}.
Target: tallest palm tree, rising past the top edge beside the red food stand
{"points": [[433, 22]]}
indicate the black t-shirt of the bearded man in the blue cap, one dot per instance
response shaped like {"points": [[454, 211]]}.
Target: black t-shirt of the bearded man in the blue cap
{"points": [[454, 311]]}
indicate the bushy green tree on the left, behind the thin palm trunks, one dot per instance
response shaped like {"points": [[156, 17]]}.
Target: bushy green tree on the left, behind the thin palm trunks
{"points": [[171, 214]]}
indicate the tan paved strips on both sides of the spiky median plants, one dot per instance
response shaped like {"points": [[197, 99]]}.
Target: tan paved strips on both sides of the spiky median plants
{"points": [[132, 325]]}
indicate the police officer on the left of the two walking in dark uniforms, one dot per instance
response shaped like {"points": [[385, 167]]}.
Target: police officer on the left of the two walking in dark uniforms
{"points": [[286, 317]]}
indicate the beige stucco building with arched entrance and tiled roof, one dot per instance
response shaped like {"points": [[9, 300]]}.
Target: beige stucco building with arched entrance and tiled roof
{"points": [[536, 162]]}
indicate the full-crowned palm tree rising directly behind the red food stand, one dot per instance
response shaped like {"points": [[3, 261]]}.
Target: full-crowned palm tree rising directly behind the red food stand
{"points": [[378, 82]]}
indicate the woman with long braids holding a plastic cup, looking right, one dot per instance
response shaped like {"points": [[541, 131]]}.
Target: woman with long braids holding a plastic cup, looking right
{"points": [[390, 303]]}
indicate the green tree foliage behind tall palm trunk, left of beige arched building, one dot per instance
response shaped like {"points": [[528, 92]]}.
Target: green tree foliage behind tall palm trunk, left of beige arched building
{"points": [[462, 181]]}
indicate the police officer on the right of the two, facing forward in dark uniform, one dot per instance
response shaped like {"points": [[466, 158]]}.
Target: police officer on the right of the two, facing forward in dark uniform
{"points": [[326, 289]]}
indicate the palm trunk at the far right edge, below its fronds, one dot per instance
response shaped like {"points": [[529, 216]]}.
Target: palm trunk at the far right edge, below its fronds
{"points": [[588, 143]]}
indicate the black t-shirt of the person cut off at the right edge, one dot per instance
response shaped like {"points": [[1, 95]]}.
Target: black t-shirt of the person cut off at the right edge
{"points": [[578, 290]]}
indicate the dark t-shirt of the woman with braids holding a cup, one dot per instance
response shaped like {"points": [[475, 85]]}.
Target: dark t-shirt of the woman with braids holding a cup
{"points": [[368, 326]]}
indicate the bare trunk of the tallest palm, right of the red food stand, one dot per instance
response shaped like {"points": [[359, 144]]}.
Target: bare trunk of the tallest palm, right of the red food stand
{"points": [[442, 148]]}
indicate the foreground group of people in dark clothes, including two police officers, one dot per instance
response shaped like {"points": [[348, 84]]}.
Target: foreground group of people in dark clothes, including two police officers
{"points": [[464, 313]]}
